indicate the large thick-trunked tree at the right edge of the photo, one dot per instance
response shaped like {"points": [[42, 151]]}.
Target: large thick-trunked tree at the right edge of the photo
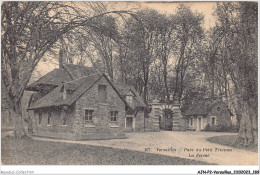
{"points": [[236, 63]]}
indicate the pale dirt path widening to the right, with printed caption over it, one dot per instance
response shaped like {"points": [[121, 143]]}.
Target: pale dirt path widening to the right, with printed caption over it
{"points": [[179, 144]]}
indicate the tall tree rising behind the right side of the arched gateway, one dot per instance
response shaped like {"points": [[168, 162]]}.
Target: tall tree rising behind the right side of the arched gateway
{"points": [[189, 34]]}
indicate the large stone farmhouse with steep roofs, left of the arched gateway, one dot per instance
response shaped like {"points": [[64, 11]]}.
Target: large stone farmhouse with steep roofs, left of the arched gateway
{"points": [[77, 102]]}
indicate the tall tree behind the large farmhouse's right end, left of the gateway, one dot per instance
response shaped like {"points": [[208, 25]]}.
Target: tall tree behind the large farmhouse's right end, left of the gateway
{"points": [[142, 33]]}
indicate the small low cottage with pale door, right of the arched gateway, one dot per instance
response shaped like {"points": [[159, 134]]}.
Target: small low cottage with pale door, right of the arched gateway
{"points": [[205, 112]]}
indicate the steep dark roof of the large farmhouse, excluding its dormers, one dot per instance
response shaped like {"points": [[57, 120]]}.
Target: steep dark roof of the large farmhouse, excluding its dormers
{"points": [[77, 79]]}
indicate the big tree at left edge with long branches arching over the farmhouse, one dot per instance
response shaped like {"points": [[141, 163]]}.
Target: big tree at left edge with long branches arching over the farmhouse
{"points": [[29, 31]]}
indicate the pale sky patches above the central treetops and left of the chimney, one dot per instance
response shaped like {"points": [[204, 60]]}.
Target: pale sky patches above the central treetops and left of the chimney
{"points": [[207, 8]]}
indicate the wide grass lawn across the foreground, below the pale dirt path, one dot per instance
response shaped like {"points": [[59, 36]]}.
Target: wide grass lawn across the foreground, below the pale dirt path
{"points": [[33, 152]]}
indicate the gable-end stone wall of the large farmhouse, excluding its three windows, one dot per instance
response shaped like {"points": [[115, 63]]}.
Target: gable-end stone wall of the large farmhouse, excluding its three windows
{"points": [[102, 127]]}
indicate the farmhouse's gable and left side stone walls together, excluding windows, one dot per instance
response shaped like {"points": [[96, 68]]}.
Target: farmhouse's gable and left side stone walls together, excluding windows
{"points": [[76, 129]]}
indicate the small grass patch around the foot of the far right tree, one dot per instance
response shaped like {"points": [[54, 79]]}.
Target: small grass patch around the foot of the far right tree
{"points": [[229, 140]]}
